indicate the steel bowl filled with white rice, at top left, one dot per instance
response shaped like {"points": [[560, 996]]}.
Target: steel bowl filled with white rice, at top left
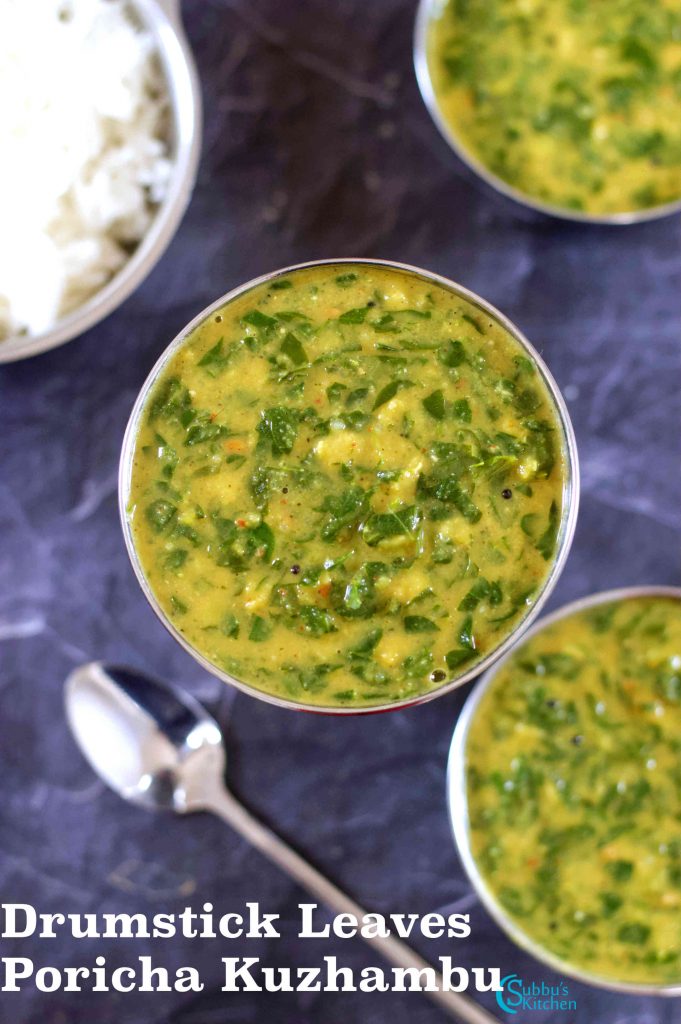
{"points": [[101, 136]]}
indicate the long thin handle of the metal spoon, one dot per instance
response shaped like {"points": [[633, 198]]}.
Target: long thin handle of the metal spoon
{"points": [[227, 807]]}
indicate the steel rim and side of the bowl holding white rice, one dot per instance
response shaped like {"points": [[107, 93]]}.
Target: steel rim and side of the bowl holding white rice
{"points": [[162, 20]]}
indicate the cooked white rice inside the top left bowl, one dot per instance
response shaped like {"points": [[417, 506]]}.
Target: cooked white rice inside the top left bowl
{"points": [[83, 138]]}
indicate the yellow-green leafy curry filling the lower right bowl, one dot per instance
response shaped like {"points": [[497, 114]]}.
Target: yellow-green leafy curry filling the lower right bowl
{"points": [[574, 782]]}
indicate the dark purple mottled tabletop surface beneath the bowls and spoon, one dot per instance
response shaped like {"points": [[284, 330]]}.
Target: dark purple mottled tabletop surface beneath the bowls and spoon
{"points": [[317, 145]]}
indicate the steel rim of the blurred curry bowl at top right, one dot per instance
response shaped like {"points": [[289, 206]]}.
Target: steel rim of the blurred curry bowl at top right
{"points": [[425, 13]]}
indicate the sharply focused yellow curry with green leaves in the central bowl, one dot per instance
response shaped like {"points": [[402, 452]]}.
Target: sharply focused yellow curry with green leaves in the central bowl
{"points": [[348, 486]]}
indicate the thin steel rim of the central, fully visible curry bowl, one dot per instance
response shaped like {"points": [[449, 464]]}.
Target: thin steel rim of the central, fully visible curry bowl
{"points": [[570, 497]]}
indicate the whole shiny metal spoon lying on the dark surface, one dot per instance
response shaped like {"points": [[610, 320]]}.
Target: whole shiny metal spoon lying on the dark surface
{"points": [[157, 747]]}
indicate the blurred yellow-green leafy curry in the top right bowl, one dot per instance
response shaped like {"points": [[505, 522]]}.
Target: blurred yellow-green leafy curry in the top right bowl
{"points": [[574, 103]]}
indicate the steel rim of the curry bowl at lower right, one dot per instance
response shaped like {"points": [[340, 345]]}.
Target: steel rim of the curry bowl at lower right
{"points": [[458, 802]]}
